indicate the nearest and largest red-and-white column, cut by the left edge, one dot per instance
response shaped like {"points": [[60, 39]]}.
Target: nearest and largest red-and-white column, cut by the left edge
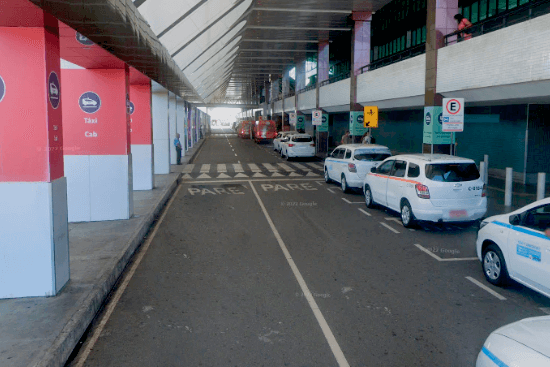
{"points": [[34, 242]]}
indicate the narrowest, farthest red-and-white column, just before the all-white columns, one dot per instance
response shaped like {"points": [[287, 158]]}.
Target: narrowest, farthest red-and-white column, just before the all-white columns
{"points": [[141, 129]]}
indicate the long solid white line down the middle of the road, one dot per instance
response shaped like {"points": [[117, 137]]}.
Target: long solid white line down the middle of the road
{"points": [[334, 346]]}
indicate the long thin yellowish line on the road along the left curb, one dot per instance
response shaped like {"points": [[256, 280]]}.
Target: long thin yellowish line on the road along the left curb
{"points": [[120, 291]]}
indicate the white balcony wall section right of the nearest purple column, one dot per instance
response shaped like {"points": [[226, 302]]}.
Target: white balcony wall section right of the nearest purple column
{"points": [[510, 63]]}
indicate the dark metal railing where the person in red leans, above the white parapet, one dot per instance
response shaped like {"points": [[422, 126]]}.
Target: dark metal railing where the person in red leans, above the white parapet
{"points": [[511, 17]]}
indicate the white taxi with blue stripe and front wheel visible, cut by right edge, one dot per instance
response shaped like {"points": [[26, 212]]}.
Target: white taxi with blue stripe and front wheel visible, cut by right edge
{"points": [[515, 246]]}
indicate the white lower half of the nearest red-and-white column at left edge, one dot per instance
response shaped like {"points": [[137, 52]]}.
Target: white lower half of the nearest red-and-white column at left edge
{"points": [[34, 246]]}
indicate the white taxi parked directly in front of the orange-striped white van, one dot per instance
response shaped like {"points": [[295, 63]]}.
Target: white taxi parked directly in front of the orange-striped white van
{"points": [[349, 163]]}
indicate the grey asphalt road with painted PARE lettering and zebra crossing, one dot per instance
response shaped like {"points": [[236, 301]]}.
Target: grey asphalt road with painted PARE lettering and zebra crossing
{"points": [[286, 270]]}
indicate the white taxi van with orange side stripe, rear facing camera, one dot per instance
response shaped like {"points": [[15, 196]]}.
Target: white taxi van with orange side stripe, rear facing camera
{"points": [[428, 187]]}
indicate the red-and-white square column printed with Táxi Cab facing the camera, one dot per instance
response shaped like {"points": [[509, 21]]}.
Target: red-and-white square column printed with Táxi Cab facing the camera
{"points": [[99, 175]]}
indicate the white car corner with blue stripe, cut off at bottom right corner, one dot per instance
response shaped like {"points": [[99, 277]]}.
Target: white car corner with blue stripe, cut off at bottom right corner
{"points": [[520, 344]]}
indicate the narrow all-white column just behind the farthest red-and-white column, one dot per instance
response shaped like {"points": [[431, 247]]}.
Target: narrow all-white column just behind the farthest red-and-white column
{"points": [[161, 137]]}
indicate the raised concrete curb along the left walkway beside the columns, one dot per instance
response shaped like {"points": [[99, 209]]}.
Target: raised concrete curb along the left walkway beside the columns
{"points": [[77, 325]]}
